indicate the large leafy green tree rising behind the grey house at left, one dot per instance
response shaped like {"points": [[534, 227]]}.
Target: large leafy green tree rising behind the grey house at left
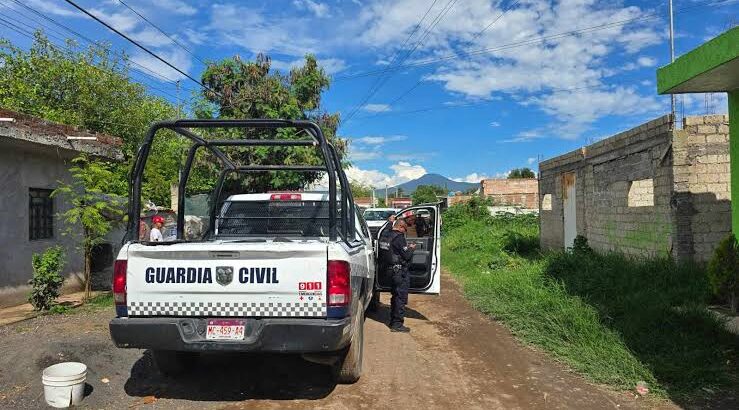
{"points": [[91, 88]]}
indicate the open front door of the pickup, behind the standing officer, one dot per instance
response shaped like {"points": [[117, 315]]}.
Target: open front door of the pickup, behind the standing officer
{"points": [[425, 267]]}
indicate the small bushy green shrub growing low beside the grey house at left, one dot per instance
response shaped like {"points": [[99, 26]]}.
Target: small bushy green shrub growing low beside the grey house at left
{"points": [[47, 279]]}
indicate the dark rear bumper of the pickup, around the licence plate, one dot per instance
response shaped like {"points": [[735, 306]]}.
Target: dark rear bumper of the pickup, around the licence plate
{"points": [[262, 335]]}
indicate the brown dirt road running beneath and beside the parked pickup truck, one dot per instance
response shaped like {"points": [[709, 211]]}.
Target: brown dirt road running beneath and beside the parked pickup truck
{"points": [[453, 357]]}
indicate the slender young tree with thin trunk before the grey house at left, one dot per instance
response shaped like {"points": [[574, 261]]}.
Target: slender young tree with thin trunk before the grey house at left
{"points": [[92, 207]]}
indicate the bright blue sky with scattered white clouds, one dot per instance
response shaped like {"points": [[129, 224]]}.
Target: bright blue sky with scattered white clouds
{"points": [[469, 89]]}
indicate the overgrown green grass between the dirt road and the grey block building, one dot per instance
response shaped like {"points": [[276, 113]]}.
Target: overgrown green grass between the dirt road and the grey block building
{"points": [[615, 320]]}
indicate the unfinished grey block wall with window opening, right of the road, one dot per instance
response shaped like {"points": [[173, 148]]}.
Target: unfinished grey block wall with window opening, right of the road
{"points": [[646, 191]]}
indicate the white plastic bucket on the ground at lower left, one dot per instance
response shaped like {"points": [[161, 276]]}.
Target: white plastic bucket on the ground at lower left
{"points": [[64, 384]]}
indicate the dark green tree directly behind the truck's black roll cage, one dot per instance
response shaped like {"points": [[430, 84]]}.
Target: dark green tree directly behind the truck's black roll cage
{"points": [[245, 89]]}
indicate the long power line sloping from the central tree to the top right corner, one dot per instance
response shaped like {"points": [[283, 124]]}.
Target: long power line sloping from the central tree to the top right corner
{"points": [[530, 41]]}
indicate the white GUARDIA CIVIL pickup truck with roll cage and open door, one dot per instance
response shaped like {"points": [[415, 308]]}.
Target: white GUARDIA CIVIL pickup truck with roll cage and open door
{"points": [[287, 272]]}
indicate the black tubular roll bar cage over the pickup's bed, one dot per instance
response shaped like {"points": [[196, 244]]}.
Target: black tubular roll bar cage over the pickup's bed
{"points": [[331, 160]]}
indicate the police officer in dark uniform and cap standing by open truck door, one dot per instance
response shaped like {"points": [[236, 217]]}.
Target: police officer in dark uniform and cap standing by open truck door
{"points": [[395, 254]]}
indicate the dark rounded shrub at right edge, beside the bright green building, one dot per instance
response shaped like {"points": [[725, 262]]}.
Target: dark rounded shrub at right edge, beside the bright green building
{"points": [[723, 271]]}
